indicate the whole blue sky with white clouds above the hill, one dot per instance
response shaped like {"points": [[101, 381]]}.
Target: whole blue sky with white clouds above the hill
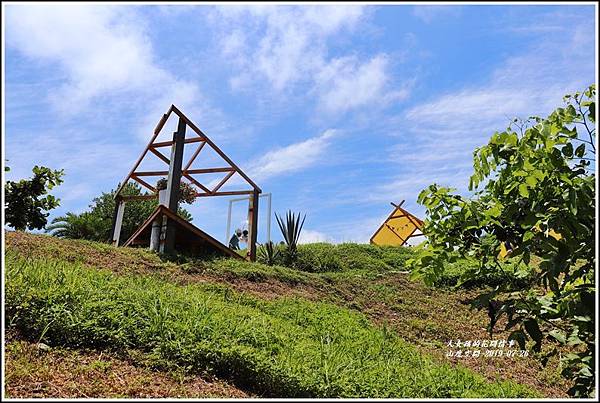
{"points": [[335, 110]]}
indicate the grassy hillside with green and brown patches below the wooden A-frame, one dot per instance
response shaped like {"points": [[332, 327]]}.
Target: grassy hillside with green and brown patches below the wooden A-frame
{"points": [[350, 324]]}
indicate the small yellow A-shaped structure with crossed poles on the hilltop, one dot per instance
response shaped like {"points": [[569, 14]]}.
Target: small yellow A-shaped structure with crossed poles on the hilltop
{"points": [[397, 228]]}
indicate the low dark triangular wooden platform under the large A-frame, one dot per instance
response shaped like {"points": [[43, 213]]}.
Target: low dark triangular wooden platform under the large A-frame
{"points": [[189, 238]]}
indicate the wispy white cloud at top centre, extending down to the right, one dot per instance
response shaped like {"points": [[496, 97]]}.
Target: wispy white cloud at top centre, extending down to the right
{"points": [[287, 46]]}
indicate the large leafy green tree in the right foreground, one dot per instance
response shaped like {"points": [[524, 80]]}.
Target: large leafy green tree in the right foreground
{"points": [[534, 196]]}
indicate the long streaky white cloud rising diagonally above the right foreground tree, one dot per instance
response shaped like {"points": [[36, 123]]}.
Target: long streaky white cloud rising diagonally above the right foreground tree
{"points": [[439, 136]]}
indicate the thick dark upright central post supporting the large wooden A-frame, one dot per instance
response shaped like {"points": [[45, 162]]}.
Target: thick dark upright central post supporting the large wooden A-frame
{"points": [[173, 183]]}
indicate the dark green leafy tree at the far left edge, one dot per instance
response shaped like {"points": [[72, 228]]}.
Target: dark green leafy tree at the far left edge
{"points": [[27, 201]]}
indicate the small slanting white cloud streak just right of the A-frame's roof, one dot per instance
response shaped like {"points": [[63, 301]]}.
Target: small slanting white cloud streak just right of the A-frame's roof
{"points": [[291, 158]]}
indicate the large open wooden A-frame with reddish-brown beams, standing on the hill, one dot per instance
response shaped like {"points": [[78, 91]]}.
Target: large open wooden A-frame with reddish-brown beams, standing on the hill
{"points": [[163, 231]]}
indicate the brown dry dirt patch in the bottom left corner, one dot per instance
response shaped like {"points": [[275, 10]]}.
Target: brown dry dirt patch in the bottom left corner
{"points": [[34, 372]]}
